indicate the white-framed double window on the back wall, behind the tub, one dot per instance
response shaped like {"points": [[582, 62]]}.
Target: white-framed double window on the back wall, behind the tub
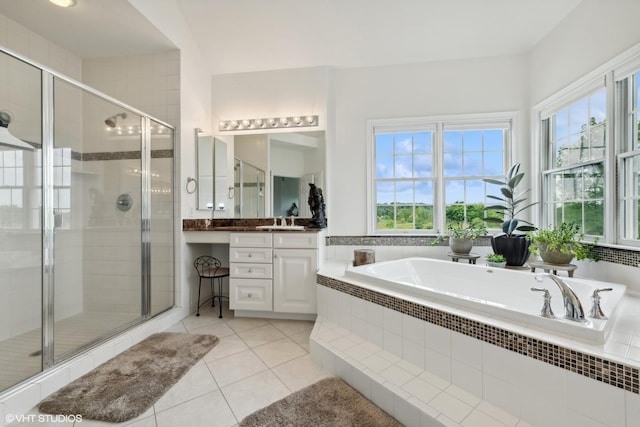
{"points": [[428, 175]]}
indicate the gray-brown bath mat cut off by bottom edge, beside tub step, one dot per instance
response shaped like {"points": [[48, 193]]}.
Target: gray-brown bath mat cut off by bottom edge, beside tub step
{"points": [[327, 403]]}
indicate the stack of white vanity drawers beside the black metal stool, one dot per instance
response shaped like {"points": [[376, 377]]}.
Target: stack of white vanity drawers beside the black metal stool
{"points": [[250, 265]]}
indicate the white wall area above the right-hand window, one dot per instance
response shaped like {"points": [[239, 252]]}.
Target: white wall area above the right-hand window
{"points": [[592, 34]]}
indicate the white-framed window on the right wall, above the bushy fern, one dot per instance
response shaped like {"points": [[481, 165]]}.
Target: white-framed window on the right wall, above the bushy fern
{"points": [[590, 153]]}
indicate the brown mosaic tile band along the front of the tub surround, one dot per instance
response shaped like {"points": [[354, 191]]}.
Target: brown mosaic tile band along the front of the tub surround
{"points": [[597, 368]]}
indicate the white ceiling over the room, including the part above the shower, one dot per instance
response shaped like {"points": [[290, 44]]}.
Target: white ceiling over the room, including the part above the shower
{"points": [[256, 35]]}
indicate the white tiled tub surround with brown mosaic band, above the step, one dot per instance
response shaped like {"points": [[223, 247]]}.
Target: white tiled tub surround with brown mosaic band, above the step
{"points": [[492, 358]]}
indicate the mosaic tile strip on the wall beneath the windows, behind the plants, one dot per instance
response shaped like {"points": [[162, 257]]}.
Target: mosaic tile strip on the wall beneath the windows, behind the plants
{"points": [[609, 254]]}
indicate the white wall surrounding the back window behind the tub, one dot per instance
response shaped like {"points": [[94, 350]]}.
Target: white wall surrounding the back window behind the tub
{"points": [[440, 88]]}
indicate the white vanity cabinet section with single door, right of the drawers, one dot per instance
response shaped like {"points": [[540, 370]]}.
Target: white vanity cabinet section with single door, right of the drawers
{"points": [[295, 263]]}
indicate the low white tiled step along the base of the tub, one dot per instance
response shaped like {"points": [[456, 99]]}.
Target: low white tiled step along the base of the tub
{"points": [[412, 395]]}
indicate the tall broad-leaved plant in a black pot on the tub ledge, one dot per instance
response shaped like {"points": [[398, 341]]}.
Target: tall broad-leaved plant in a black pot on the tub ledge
{"points": [[512, 245]]}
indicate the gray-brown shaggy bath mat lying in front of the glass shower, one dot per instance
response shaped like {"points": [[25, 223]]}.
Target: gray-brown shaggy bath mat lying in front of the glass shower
{"points": [[127, 385]]}
